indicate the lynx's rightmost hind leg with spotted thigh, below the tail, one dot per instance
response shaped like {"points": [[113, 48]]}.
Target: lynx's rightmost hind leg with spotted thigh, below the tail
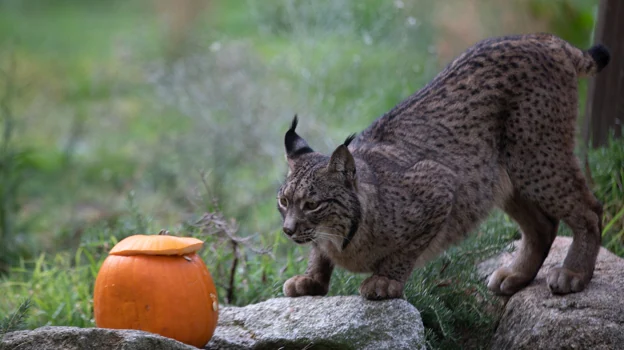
{"points": [[539, 154]]}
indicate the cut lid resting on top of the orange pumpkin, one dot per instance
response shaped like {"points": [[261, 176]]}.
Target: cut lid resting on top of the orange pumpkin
{"points": [[156, 245]]}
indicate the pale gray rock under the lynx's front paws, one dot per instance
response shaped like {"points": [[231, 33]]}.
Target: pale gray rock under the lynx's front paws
{"points": [[343, 322]]}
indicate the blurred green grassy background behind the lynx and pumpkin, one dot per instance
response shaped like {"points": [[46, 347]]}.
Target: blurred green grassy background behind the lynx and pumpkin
{"points": [[123, 117]]}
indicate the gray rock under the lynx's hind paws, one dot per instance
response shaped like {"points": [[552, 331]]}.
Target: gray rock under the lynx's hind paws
{"points": [[592, 319]]}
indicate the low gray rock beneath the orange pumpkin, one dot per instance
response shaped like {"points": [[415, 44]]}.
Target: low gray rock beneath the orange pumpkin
{"points": [[73, 338]]}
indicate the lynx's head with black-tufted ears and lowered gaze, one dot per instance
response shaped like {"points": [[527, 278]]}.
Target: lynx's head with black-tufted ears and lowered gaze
{"points": [[318, 201]]}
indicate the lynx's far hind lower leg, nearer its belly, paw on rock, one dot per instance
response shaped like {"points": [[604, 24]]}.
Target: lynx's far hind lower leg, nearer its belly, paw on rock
{"points": [[538, 233]]}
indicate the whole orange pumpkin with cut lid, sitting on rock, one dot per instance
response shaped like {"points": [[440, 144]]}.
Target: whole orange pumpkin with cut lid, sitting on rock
{"points": [[157, 283]]}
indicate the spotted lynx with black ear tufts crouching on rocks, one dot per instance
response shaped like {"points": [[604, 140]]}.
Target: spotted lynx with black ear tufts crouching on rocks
{"points": [[495, 128]]}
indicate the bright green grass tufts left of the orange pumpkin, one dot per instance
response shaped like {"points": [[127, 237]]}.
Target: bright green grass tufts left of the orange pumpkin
{"points": [[60, 286]]}
